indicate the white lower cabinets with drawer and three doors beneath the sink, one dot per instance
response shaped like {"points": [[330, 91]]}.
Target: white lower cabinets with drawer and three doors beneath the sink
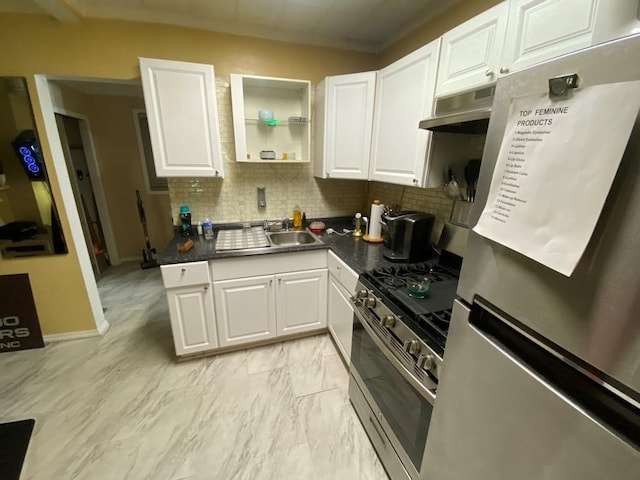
{"points": [[219, 304]]}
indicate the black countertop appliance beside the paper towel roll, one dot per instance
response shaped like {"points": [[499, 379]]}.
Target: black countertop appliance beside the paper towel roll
{"points": [[406, 236]]}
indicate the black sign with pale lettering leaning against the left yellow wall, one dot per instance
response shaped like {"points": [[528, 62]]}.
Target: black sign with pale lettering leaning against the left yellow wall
{"points": [[19, 325]]}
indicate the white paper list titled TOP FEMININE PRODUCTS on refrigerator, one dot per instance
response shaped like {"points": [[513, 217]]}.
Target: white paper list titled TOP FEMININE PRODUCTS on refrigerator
{"points": [[555, 167]]}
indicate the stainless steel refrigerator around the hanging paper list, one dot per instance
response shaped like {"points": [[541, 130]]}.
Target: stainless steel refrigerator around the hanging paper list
{"points": [[541, 373]]}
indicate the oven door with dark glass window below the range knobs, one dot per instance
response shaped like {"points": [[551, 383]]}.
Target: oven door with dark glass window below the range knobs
{"points": [[398, 400]]}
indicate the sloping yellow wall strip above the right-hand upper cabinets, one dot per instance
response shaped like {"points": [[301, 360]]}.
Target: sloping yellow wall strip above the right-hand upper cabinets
{"points": [[434, 28]]}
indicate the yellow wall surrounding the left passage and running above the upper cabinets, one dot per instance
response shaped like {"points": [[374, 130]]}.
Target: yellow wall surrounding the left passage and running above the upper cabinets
{"points": [[33, 44]]}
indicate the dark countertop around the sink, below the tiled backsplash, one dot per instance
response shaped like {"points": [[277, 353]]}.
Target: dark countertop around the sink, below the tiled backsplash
{"points": [[354, 251]]}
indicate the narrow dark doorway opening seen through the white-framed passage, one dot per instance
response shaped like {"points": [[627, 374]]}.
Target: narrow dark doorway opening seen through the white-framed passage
{"points": [[76, 159]]}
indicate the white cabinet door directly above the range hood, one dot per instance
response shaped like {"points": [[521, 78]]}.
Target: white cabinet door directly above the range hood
{"points": [[471, 52]]}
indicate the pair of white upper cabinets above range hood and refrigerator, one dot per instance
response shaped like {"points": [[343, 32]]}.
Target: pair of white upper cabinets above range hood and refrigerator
{"points": [[516, 34]]}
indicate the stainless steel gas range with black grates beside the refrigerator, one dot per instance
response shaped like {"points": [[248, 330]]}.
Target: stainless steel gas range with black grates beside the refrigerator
{"points": [[396, 354]]}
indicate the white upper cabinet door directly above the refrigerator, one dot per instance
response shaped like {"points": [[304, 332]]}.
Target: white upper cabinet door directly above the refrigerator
{"points": [[542, 29]]}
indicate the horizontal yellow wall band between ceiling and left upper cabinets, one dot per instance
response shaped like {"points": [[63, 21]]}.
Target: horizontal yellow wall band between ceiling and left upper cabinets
{"points": [[110, 49]]}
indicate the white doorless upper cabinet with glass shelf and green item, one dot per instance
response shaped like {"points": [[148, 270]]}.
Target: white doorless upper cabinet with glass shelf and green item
{"points": [[271, 119]]}
